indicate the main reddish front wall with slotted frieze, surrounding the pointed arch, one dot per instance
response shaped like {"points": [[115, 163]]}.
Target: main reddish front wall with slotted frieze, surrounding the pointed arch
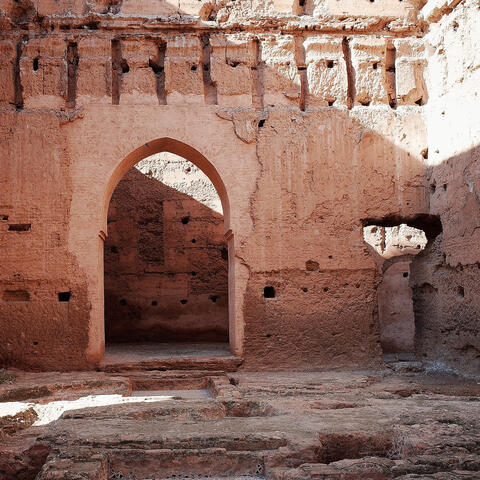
{"points": [[310, 119]]}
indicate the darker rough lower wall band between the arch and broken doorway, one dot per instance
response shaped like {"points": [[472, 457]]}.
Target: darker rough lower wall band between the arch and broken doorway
{"points": [[316, 335]]}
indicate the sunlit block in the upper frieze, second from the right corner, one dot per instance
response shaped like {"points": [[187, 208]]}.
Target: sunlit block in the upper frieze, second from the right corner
{"points": [[368, 59]]}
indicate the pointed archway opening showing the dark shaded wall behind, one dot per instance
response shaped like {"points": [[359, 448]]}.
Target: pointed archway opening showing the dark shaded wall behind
{"points": [[166, 261]]}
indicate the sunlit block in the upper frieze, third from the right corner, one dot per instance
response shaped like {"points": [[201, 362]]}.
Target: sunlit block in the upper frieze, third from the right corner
{"points": [[326, 72]]}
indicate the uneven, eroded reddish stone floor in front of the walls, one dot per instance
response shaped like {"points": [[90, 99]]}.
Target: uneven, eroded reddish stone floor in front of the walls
{"points": [[394, 423]]}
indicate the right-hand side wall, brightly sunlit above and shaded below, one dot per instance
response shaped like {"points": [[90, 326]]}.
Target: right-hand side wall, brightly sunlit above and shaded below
{"points": [[446, 276]]}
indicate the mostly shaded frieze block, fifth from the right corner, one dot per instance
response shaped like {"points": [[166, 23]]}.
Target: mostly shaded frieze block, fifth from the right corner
{"points": [[233, 57]]}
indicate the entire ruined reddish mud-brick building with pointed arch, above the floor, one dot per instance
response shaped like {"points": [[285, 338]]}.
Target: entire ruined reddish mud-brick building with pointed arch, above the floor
{"points": [[306, 182]]}
